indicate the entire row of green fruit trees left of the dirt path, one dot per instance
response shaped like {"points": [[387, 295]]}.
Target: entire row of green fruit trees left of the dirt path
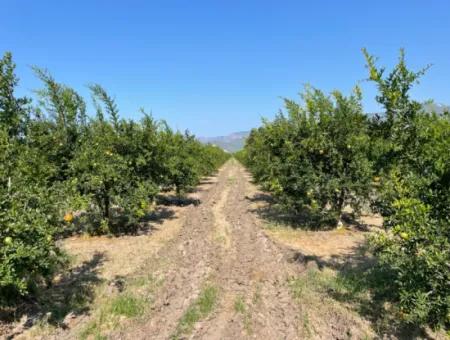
{"points": [[63, 171]]}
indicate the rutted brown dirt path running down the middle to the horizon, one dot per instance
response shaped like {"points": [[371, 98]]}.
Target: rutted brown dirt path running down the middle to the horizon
{"points": [[221, 244]]}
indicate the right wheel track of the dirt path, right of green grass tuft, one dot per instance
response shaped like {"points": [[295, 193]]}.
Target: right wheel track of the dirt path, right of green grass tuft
{"points": [[253, 273]]}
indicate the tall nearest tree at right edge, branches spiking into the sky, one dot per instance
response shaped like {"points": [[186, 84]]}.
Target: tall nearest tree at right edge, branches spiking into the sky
{"points": [[414, 196]]}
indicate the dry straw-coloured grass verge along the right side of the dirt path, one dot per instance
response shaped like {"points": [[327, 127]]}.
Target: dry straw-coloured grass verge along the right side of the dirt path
{"points": [[322, 316]]}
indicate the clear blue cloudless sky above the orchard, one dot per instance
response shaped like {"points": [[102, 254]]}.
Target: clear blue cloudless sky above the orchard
{"points": [[215, 67]]}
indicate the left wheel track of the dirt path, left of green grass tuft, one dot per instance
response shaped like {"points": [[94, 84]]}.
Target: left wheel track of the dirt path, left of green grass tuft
{"points": [[185, 264]]}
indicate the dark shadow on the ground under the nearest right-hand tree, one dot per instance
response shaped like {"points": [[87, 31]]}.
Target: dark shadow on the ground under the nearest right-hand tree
{"points": [[362, 285]]}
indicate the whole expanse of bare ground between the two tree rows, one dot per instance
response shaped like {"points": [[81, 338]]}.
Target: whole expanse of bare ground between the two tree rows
{"points": [[223, 246]]}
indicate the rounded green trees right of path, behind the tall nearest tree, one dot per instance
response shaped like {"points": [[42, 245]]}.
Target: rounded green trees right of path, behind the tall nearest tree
{"points": [[315, 157]]}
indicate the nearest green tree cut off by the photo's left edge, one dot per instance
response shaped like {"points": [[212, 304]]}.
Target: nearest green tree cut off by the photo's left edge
{"points": [[28, 254]]}
